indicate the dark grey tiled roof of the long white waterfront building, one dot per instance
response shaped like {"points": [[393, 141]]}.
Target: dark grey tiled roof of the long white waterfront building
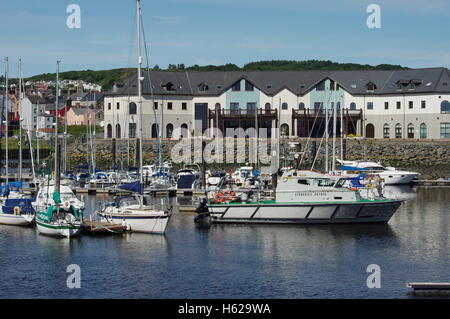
{"points": [[299, 82]]}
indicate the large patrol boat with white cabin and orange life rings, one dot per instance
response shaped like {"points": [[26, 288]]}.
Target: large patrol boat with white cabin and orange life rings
{"points": [[301, 199]]}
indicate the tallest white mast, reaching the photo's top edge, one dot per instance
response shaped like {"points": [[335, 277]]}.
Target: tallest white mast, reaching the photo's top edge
{"points": [[139, 79]]}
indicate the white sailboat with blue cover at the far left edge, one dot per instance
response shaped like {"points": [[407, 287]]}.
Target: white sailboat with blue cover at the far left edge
{"points": [[14, 211]]}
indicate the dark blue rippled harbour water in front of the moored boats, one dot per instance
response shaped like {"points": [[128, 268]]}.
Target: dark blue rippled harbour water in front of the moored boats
{"points": [[237, 261]]}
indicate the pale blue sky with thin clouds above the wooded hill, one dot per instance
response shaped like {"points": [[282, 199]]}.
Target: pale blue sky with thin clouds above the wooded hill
{"points": [[413, 33]]}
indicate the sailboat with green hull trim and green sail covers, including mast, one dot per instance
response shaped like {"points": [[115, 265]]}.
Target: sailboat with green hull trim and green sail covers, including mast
{"points": [[59, 219]]}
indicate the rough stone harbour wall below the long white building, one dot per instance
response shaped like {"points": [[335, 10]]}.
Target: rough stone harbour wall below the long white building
{"points": [[431, 158]]}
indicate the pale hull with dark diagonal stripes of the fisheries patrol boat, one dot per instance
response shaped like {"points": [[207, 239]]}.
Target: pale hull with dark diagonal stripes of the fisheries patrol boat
{"points": [[305, 213]]}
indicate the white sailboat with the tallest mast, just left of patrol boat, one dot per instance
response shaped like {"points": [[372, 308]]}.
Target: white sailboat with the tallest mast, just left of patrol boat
{"points": [[135, 211]]}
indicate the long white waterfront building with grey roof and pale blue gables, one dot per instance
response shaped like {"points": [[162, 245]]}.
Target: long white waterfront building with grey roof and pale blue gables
{"points": [[404, 104]]}
